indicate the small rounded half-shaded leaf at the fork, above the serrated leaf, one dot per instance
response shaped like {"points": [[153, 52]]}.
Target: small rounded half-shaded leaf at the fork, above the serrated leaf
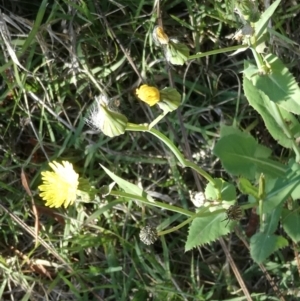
{"points": [[222, 191]]}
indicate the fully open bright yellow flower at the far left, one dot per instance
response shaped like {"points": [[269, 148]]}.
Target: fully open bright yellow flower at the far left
{"points": [[59, 187]]}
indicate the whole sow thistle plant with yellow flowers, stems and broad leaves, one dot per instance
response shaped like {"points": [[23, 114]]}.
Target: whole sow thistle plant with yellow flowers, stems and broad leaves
{"points": [[267, 183]]}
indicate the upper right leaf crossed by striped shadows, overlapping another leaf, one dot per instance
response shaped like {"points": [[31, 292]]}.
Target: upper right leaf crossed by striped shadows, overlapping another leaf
{"points": [[279, 85]]}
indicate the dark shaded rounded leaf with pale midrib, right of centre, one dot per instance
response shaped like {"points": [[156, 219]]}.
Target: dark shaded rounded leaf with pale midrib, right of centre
{"points": [[239, 154]]}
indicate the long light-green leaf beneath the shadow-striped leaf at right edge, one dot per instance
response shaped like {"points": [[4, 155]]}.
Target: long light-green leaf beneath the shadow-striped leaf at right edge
{"points": [[262, 104]]}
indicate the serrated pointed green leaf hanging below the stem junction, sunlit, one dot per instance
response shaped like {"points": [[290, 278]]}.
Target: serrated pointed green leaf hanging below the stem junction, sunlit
{"points": [[206, 229]]}
